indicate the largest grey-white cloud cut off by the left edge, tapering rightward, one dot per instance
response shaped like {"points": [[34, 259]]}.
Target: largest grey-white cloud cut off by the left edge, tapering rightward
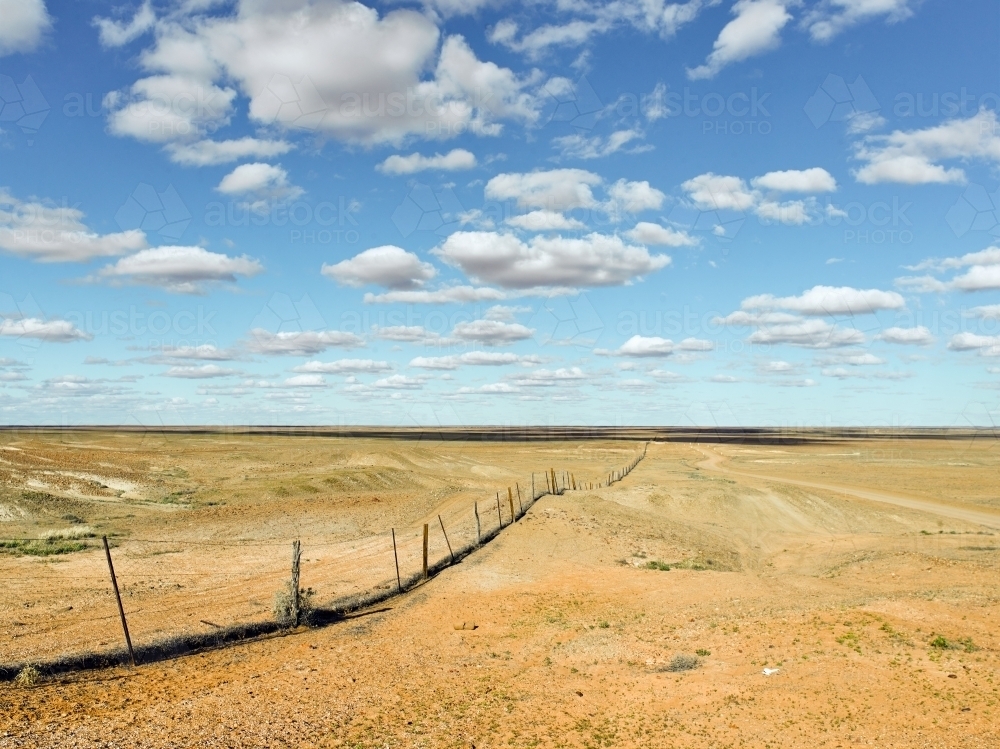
{"points": [[52, 234]]}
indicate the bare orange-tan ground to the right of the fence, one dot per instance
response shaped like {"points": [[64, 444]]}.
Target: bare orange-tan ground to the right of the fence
{"points": [[846, 597]]}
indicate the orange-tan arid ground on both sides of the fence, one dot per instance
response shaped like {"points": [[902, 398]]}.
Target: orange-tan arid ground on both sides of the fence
{"points": [[828, 594]]}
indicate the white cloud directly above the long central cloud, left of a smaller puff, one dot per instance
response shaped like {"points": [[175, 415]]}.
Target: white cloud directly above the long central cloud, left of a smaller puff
{"points": [[552, 190]]}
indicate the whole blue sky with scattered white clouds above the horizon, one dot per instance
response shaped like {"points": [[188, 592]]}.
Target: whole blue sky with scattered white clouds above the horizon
{"points": [[765, 212]]}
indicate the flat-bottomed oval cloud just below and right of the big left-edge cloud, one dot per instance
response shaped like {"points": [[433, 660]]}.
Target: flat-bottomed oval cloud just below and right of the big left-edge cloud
{"points": [[182, 270]]}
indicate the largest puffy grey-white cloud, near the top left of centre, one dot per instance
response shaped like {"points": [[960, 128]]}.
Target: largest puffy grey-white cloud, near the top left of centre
{"points": [[336, 68]]}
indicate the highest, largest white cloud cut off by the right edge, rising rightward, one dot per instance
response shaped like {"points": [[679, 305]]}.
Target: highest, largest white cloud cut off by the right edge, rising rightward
{"points": [[914, 157]]}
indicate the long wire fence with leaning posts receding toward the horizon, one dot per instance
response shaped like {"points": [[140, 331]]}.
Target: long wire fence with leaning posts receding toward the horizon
{"points": [[178, 596]]}
